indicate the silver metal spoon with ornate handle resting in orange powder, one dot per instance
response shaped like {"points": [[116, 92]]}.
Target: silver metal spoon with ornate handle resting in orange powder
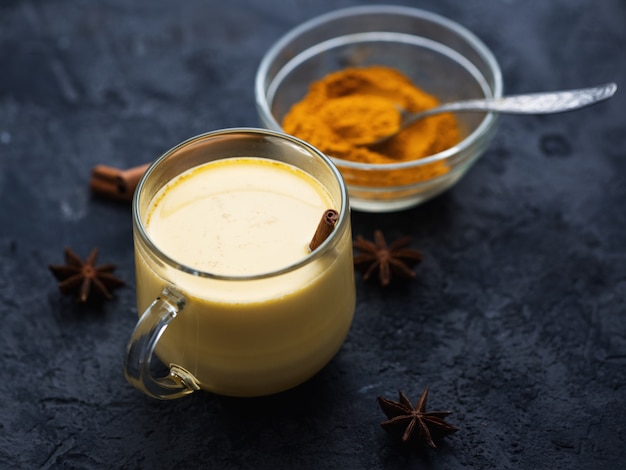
{"points": [[532, 103]]}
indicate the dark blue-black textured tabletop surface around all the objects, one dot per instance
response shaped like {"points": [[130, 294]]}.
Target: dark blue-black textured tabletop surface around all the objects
{"points": [[516, 319]]}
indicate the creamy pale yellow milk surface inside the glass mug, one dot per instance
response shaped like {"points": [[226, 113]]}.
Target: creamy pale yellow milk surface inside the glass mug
{"points": [[238, 216]]}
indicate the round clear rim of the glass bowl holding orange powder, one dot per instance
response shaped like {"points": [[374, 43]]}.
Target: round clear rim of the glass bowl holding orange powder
{"points": [[479, 46]]}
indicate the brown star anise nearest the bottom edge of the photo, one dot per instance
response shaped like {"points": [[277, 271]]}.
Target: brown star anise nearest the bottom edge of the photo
{"points": [[415, 422]]}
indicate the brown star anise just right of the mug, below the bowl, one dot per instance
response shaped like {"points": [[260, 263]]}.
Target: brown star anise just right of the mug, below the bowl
{"points": [[395, 259]]}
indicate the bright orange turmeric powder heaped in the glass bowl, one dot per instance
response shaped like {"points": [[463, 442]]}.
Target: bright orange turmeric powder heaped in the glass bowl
{"points": [[356, 105]]}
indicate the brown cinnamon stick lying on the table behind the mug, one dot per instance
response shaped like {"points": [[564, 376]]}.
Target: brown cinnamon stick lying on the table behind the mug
{"points": [[114, 183]]}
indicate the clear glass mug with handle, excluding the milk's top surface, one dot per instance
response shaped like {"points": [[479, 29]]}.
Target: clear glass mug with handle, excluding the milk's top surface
{"points": [[238, 335]]}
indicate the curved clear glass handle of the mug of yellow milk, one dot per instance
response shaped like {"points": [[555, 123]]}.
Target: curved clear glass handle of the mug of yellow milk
{"points": [[140, 350]]}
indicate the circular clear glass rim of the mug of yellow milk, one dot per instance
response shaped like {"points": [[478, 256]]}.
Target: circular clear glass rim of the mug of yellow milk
{"points": [[141, 231]]}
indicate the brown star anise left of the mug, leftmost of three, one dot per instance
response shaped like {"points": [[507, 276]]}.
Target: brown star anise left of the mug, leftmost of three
{"points": [[82, 277]]}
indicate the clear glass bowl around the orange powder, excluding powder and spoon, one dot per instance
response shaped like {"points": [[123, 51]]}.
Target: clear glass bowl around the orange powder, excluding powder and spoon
{"points": [[438, 55]]}
